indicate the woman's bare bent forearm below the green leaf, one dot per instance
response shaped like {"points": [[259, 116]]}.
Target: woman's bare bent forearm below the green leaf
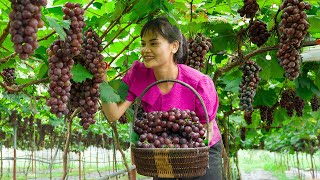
{"points": [[113, 111]]}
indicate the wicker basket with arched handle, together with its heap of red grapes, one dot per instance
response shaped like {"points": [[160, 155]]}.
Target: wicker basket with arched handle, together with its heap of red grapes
{"points": [[171, 144]]}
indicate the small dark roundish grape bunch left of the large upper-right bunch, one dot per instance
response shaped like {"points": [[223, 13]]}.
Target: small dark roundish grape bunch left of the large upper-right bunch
{"points": [[258, 33]]}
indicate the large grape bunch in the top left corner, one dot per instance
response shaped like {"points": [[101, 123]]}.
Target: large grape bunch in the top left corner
{"points": [[25, 20]]}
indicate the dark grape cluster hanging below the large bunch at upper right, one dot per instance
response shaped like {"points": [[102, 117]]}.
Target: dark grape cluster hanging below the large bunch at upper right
{"points": [[290, 101]]}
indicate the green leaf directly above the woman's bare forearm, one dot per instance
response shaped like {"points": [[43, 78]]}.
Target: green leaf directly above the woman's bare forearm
{"points": [[108, 94]]}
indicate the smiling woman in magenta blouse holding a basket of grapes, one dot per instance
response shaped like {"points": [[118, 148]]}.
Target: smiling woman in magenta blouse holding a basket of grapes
{"points": [[164, 51]]}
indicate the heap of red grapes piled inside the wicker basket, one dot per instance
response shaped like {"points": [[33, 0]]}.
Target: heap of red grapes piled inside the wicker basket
{"points": [[174, 129]]}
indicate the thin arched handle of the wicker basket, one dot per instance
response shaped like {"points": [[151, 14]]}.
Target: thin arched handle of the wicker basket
{"points": [[177, 81]]}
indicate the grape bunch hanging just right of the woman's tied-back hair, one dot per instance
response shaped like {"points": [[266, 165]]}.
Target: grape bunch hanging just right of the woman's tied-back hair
{"points": [[197, 50]]}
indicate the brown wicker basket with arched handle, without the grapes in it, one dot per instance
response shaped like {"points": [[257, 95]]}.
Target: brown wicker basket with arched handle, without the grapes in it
{"points": [[171, 162]]}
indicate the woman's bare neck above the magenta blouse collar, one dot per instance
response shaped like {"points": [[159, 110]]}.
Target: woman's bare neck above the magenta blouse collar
{"points": [[169, 71]]}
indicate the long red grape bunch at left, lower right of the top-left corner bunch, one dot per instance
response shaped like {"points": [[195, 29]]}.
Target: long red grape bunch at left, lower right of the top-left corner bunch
{"points": [[60, 65]]}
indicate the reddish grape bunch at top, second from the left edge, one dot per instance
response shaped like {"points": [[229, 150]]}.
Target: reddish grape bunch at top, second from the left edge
{"points": [[74, 13]]}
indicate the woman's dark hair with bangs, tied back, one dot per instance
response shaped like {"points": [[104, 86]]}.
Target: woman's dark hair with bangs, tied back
{"points": [[170, 32]]}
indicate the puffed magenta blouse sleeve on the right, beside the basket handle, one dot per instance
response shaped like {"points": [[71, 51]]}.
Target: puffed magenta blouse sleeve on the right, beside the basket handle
{"points": [[207, 91]]}
